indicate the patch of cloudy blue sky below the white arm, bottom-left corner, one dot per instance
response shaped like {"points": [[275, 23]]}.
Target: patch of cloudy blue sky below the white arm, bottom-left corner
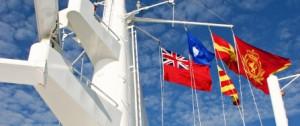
{"points": [[18, 106]]}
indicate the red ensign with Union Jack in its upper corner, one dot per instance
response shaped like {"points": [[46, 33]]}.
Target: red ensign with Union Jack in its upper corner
{"points": [[177, 69]]}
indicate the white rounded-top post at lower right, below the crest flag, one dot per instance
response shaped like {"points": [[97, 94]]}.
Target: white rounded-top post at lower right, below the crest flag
{"points": [[277, 102]]}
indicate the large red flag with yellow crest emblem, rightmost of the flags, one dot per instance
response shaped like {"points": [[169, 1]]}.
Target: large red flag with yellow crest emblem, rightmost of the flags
{"points": [[258, 64]]}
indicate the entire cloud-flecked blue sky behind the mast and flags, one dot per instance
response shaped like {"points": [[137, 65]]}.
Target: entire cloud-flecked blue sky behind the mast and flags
{"points": [[272, 25]]}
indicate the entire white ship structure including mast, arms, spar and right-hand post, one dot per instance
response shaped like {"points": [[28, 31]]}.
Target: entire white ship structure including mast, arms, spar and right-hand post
{"points": [[113, 97]]}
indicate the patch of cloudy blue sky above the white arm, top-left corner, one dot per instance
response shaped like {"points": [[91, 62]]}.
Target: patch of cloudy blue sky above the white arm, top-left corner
{"points": [[16, 25]]}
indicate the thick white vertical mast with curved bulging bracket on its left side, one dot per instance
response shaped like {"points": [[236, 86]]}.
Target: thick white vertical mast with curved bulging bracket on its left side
{"points": [[114, 75]]}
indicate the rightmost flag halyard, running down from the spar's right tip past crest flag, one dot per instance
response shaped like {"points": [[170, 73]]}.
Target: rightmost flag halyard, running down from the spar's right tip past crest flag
{"points": [[251, 90]]}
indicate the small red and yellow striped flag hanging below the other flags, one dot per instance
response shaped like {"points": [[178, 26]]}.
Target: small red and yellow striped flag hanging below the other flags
{"points": [[227, 87]]}
